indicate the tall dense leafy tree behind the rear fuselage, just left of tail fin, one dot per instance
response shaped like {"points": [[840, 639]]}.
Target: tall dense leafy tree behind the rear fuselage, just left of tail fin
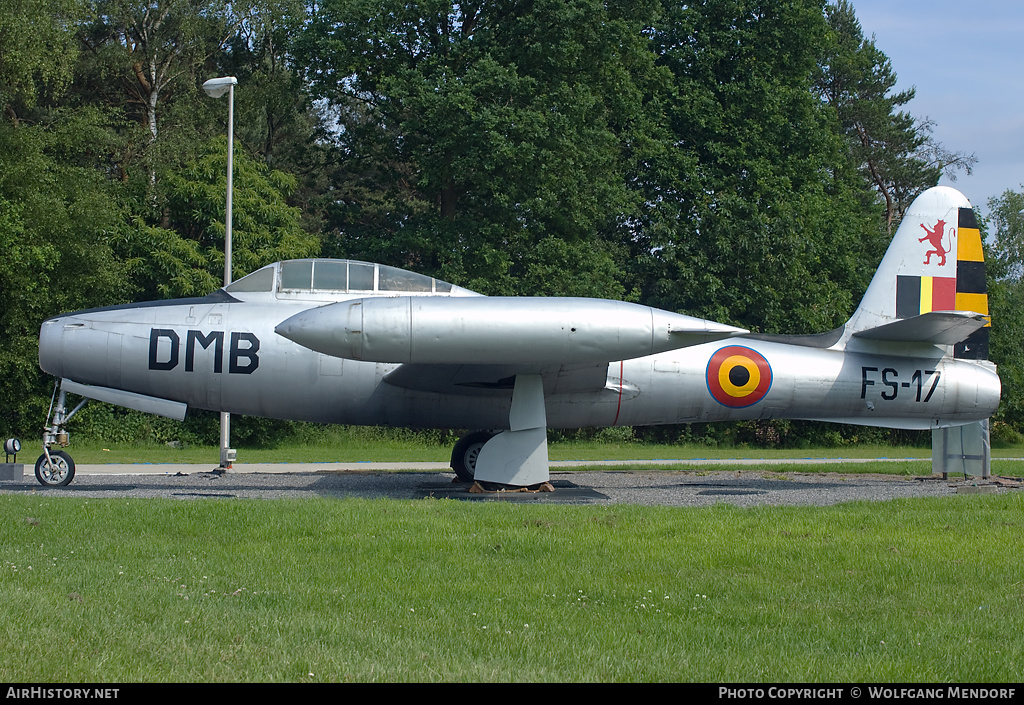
{"points": [[756, 215]]}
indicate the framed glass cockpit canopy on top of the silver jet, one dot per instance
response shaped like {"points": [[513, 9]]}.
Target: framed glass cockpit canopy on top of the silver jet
{"points": [[334, 279]]}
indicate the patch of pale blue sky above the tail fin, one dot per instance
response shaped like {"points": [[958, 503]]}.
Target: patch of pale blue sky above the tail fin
{"points": [[966, 60]]}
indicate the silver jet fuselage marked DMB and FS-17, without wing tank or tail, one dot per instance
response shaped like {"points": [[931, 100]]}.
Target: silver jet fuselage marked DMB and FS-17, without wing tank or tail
{"points": [[224, 355]]}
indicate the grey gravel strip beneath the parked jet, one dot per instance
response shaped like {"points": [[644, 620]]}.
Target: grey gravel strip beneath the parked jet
{"points": [[744, 488]]}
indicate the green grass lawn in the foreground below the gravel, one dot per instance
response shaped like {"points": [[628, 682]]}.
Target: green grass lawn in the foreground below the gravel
{"points": [[327, 591]]}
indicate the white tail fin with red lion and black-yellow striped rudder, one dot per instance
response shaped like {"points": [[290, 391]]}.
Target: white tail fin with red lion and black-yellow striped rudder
{"points": [[930, 286]]}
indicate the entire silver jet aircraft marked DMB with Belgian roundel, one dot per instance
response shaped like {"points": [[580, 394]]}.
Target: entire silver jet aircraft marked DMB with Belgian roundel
{"points": [[353, 343]]}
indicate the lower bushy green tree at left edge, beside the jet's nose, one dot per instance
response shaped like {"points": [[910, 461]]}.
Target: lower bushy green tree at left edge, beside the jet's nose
{"points": [[58, 223]]}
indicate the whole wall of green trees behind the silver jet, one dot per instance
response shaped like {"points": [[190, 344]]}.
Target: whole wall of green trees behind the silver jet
{"points": [[741, 160]]}
